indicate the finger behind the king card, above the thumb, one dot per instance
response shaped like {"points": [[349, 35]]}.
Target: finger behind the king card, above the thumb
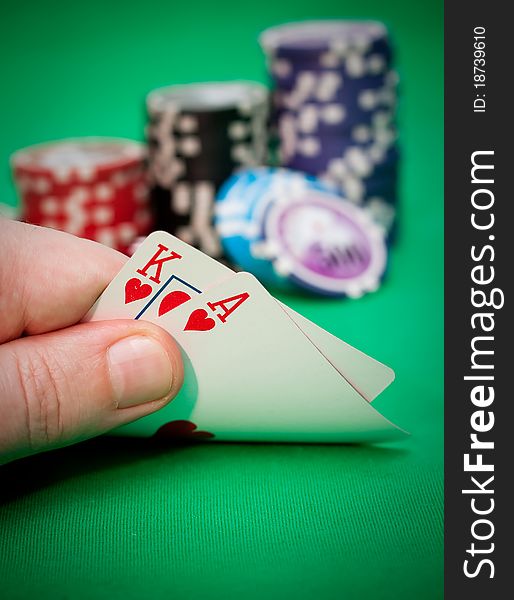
{"points": [[49, 279]]}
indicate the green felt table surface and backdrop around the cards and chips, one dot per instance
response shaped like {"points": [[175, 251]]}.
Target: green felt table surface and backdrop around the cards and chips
{"points": [[117, 518]]}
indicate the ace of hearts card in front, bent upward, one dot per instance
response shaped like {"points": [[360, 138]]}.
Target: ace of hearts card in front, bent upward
{"points": [[252, 375]]}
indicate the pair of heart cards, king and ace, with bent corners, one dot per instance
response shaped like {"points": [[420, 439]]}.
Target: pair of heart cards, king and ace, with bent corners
{"points": [[255, 370]]}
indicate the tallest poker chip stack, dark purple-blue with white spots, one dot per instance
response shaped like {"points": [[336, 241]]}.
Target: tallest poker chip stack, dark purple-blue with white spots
{"points": [[334, 108]]}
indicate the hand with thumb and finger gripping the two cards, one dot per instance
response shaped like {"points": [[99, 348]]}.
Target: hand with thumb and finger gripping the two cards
{"points": [[61, 382]]}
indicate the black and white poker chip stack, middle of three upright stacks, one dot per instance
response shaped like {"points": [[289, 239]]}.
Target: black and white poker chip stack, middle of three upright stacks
{"points": [[198, 134]]}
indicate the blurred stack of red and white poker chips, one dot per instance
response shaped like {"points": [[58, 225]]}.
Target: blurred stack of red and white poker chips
{"points": [[94, 188]]}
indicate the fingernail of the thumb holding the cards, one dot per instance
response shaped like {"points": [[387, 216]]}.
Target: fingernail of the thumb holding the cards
{"points": [[140, 371]]}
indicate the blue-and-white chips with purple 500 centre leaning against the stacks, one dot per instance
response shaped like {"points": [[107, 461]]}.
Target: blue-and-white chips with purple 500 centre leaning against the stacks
{"points": [[291, 230]]}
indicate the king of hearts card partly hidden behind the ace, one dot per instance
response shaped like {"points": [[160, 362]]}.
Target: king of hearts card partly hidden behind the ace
{"points": [[166, 272]]}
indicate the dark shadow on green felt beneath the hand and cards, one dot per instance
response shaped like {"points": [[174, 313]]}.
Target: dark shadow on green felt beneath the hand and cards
{"points": [[26, 476]]}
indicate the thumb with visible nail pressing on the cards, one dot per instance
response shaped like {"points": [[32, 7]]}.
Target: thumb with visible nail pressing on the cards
{"points": [[75, 383]]}
